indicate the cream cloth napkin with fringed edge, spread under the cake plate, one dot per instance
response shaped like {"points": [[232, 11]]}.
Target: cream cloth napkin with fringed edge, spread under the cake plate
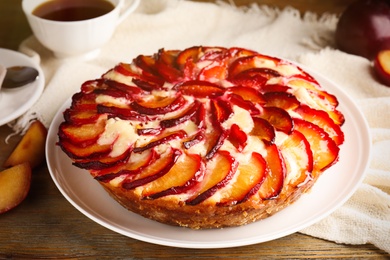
{"points": [[177, 24]]}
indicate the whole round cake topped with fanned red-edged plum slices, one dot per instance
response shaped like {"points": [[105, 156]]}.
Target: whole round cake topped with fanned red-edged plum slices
{"points": [[205, 137]]}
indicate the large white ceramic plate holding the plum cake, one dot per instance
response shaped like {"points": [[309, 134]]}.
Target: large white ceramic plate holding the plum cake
{"points": [[333, 188]]}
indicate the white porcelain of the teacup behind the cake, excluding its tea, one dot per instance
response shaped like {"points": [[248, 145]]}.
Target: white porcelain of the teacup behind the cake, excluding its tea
{"points": [[82, 38]]}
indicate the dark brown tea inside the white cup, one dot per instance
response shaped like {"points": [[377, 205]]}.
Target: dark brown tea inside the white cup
{"points": [[72, 10]]}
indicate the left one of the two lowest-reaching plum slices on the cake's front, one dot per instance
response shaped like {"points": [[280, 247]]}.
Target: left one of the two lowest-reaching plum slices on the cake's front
{"points": [[215, 178]]}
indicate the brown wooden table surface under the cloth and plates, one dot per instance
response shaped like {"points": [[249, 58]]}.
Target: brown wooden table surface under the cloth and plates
{"points": [[46, 225]]}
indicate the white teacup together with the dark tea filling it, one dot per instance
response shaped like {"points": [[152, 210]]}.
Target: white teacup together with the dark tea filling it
{"points": [[74, 28]]}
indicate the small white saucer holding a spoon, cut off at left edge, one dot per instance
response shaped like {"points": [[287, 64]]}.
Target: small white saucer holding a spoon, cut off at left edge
{"points": [[14, 102]]}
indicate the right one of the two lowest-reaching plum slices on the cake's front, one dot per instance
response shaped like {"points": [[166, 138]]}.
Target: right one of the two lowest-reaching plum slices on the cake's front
{"points": [[250, 177]]}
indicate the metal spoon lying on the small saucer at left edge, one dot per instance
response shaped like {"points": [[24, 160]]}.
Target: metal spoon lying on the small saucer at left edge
{"points": [[18, 76]]}
